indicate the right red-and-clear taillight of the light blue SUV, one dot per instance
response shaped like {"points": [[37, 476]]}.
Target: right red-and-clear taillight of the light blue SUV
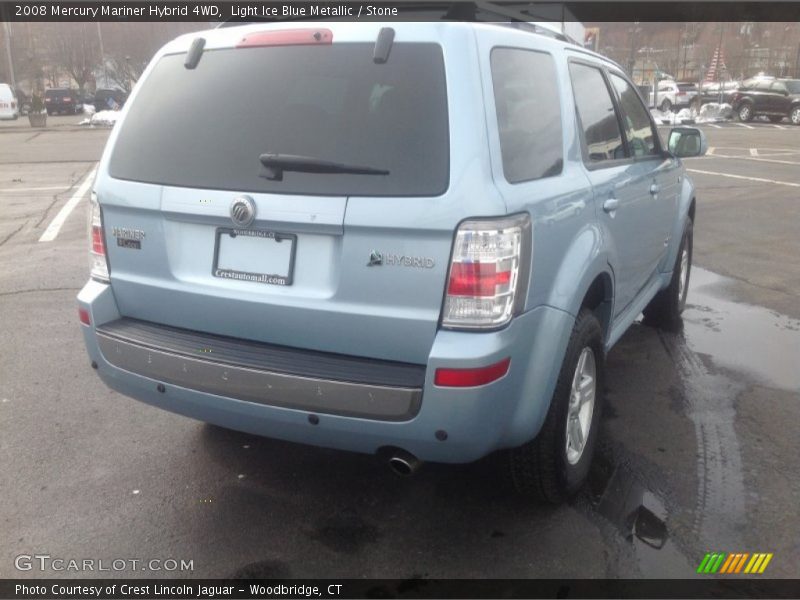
{"points": [[490, 265]]}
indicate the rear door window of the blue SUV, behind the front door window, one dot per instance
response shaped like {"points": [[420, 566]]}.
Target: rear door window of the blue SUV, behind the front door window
{"points": [[596, 111]]}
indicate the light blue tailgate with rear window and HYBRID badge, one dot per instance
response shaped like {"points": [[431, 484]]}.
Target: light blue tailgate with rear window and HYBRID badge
{"points": [[363, 257]]}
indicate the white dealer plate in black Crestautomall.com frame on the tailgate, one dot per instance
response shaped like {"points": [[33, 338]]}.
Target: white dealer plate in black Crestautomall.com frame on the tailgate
{"points": [[254, 255]]}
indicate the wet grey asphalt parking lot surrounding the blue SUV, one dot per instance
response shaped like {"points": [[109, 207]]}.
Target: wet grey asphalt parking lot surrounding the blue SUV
{"points": [[699, 446]]}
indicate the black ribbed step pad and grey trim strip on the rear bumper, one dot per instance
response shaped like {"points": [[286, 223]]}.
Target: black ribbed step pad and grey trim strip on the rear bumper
{"points": [[270, 375]]}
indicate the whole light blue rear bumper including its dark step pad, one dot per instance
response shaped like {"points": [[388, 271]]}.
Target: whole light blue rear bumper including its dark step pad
{"points": [[357, 408]]}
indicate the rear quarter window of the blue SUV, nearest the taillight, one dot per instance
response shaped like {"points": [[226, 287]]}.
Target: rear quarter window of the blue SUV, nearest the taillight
{"points": [[528, 113]]}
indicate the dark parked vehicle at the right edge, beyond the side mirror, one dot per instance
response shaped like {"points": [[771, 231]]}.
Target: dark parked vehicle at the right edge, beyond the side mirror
{"points": [[774, 98]]}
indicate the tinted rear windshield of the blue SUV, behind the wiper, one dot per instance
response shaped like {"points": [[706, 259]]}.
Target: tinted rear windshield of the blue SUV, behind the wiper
{"points": [[207, 127]]}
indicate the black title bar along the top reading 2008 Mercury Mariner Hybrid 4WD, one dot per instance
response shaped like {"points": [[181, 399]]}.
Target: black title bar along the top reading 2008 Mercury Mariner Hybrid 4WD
{"points": [[209, 11]]}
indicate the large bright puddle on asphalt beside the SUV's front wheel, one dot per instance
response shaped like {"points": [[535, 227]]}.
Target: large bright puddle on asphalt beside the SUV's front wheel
{"points": [[752, 339]]}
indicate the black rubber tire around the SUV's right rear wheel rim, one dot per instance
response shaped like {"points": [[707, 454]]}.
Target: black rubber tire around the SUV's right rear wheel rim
{"points": [[540, 468]]}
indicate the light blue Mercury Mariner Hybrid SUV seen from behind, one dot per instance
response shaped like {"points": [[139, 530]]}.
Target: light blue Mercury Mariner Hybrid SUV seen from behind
{"points": [[416, 239]]}
